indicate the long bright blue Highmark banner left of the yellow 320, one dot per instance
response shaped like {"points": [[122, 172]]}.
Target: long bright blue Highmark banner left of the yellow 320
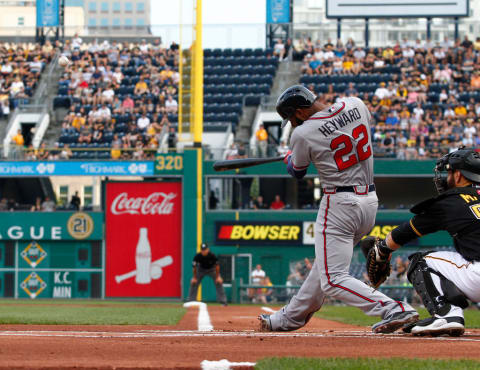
{"points": [[76, 168]]}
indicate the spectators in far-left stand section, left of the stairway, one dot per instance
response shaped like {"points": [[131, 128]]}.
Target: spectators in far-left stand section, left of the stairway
{"points": [[20, 68]]}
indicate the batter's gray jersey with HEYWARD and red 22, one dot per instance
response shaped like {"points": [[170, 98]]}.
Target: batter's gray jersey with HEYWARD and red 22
{"points": [[337, 141]]}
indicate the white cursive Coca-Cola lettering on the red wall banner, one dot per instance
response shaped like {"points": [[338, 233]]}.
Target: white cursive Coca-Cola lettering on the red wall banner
{"points": [[154, 204]]}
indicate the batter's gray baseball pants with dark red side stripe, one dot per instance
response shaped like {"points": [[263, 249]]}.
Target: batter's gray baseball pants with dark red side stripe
{"points": [[342, 220]]}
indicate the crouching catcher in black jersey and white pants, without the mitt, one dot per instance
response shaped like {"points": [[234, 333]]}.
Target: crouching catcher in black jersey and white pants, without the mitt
{"points": [[445, 279]]}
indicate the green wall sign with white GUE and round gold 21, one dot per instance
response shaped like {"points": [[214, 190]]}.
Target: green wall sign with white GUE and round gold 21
{"points": [[51, 226]]}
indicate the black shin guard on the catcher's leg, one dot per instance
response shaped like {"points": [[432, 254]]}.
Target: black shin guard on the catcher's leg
{"points": [[420, 275]]}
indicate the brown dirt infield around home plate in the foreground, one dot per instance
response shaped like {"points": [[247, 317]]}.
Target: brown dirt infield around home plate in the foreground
{"points": [[234, 338]]}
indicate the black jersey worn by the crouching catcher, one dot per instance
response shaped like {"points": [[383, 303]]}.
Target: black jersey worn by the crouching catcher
{"points": [[457, 211]]}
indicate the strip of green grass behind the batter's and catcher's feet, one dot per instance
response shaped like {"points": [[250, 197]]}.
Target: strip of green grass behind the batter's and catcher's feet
{"points": [[354, 316]]}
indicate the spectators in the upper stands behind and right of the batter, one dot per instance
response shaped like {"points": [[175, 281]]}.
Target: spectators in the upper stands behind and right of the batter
{"points": [[424, 96]]}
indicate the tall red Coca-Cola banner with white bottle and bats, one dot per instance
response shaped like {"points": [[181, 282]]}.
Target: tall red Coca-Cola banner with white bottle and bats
{"points": [[143, 239]]}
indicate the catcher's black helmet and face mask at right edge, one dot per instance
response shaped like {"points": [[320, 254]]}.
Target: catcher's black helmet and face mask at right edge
{"points": [[467, 161]]}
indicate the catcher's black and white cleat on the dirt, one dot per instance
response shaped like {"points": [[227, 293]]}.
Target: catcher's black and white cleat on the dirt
{"points": [[434, 326]]}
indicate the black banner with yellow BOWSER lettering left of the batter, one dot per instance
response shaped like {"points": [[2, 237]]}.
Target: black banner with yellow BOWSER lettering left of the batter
{"points": [[257, 233]]}
